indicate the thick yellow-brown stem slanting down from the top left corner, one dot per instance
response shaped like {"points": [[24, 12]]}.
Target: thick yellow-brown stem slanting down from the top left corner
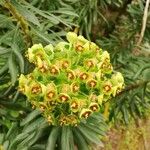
{"points": [[23, 23]]}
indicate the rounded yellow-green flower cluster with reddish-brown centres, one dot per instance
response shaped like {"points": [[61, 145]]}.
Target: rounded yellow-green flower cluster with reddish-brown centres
{"points": [[70, 81]]}
